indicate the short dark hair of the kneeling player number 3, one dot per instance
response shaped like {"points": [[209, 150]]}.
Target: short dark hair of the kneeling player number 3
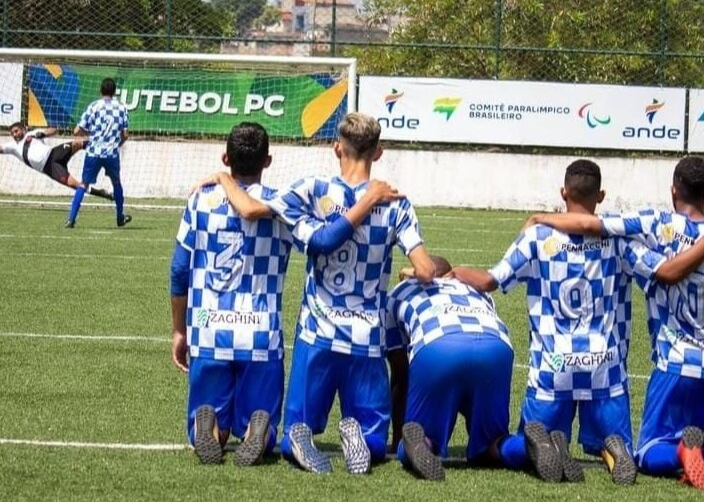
{"points": [[247, 148]]}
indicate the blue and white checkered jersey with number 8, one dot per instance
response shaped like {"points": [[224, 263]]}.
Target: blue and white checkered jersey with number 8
{"points": [[345, 291]]}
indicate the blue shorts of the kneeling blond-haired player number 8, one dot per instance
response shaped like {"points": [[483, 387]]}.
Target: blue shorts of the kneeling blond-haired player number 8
{"points": [[318, 374]]}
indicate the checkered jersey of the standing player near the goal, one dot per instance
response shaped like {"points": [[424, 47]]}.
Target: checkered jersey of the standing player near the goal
{"points": [[104, 120]]}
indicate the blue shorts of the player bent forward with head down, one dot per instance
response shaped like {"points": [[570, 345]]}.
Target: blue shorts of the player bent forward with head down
{"points": [[461, 373]]}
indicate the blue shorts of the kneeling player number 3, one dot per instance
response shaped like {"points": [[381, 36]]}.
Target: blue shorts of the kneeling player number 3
{"points": [[235, 389]]}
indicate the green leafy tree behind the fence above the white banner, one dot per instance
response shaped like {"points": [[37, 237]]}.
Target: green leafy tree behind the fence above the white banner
{"points": [[620, 41]]}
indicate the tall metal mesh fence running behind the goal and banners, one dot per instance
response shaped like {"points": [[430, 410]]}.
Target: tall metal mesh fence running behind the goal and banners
{"points": [[614, 41]]}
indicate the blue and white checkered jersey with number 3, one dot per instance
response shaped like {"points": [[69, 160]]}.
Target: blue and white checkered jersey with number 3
{"points": [[236, 283]]}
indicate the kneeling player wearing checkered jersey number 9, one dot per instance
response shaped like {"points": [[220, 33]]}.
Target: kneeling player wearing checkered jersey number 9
{"points": [[579, 303]]}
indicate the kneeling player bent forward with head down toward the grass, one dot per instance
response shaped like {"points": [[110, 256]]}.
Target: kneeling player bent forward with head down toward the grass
{"points": [[460, 362]]}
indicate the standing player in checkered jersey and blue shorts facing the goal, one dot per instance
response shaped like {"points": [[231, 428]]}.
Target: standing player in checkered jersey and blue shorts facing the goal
{"points": [[105, 121]]}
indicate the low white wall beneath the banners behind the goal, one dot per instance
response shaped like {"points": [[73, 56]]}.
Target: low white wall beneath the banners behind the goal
{"points": [[461, 179]]}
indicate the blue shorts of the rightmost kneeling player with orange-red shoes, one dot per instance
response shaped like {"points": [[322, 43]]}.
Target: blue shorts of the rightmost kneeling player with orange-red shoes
{"points": [[672, 402]]}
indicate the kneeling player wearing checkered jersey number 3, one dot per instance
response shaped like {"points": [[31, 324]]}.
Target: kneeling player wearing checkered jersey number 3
{"points": [[227, 283]]}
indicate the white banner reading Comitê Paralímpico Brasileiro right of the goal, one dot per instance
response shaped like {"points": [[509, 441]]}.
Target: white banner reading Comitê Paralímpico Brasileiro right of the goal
{"points": [[526, 113]]}
